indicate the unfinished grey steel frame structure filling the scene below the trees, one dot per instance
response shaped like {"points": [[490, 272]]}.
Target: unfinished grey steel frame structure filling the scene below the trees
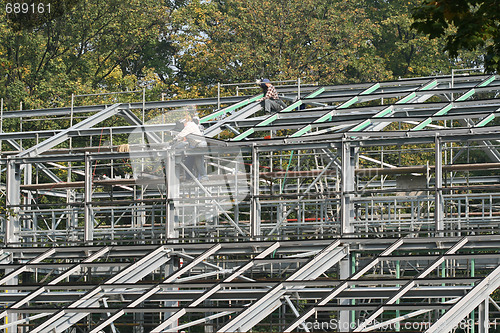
{"points": [[361, 206]]}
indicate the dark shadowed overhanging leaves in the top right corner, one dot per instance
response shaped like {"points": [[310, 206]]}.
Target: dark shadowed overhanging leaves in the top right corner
{"points": [[466, 24]]}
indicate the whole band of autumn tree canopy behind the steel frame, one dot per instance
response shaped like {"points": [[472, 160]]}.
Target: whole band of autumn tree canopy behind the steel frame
{"points": [[182, 48]]}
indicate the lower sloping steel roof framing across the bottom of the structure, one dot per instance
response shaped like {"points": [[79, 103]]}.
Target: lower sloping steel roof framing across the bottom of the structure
{"points": [[126, 290]]}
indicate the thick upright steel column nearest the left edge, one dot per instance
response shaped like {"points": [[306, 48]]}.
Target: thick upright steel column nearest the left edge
{"points": [[13, 201]]}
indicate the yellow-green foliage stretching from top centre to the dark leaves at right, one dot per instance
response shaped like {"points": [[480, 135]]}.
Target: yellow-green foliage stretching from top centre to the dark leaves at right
{"points": [[321, 41]]}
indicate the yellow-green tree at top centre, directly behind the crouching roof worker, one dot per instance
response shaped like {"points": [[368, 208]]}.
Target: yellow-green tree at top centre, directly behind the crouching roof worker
{"points": [[236, 41]]}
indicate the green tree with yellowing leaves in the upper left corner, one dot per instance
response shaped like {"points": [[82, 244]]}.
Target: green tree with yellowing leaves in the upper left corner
{"points": [[86, 46]]}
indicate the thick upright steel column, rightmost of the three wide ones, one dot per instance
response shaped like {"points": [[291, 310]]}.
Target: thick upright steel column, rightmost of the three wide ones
{"points": [[348, 171]]}
